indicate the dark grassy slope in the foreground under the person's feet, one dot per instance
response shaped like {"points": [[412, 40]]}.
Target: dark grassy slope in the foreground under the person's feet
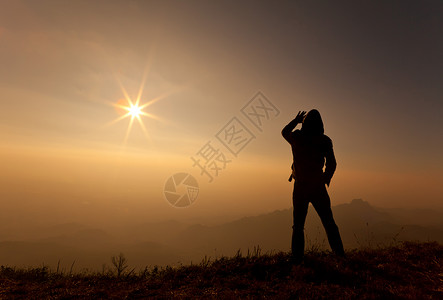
{"points": [[410, 270]]}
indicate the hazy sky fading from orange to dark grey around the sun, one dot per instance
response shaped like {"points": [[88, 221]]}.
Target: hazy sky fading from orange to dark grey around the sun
{"points": [[373, 69]]}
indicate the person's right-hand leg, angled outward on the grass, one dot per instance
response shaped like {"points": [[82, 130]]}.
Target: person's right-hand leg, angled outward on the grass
{"points": [[322, 205]]}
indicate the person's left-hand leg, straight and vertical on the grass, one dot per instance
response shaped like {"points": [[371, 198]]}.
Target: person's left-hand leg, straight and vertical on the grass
{"points": [[300, 209]]}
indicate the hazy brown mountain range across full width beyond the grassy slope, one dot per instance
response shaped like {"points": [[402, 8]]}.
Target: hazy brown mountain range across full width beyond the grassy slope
{"points": [[172, 242]]}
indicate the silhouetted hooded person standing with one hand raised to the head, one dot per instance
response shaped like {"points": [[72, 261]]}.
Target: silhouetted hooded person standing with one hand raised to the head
{"points": [[310, 148]]}
